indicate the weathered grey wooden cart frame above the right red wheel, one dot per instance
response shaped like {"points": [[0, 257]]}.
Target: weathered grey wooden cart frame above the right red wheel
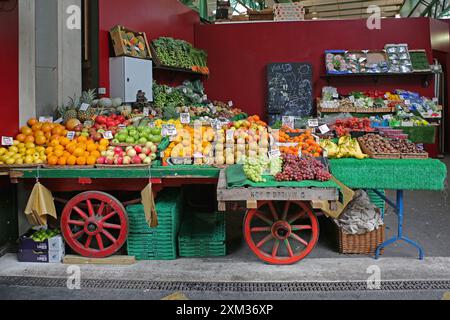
{"points": [[253, 195]]}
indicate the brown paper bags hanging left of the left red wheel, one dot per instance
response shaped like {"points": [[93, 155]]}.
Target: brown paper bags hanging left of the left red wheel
{"points": [[40, 205]]}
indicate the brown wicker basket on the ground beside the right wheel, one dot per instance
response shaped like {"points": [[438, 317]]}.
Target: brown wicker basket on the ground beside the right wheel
{"points": [[366, 243]]}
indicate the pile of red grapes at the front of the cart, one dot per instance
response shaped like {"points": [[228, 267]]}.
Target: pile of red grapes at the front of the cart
{"points": [[299, 169]]}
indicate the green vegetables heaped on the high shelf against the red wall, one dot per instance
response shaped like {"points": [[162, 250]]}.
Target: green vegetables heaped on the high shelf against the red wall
{"points": [[181, 54]]}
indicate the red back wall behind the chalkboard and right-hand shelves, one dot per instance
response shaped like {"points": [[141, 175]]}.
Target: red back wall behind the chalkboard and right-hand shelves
{"points": [[238, 54]]}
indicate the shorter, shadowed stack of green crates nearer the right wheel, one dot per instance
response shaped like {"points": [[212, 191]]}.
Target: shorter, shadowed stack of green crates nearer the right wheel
{"points": [[203, 235]]}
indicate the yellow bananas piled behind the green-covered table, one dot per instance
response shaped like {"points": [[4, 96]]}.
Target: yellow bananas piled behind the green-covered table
{"points": [[346, 148]]}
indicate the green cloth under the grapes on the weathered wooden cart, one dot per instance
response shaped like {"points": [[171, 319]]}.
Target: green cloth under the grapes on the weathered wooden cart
{"points": [[236, 178]]}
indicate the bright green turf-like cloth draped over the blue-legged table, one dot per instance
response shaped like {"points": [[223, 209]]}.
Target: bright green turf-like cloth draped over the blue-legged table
{"points": [[401, 174]]}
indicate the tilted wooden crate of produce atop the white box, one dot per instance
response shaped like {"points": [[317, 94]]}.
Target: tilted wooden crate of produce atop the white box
{"points": [[123, 46]]}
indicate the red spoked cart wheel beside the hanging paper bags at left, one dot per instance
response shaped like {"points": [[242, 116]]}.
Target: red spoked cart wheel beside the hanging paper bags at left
{"points": [[94, 224]]}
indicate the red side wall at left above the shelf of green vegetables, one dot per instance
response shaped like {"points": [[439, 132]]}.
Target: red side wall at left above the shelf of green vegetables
{"points": [[155, 17]]}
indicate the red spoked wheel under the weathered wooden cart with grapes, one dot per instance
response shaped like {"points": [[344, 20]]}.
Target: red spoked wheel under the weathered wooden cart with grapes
{"points": [[281, 232]]}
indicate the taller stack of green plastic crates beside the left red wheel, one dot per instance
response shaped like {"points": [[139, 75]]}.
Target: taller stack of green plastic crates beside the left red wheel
{"points": [[158, 243]]}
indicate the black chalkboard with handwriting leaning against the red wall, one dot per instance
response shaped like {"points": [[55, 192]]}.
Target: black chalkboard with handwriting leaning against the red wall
{"points": [[290, 89]]}
